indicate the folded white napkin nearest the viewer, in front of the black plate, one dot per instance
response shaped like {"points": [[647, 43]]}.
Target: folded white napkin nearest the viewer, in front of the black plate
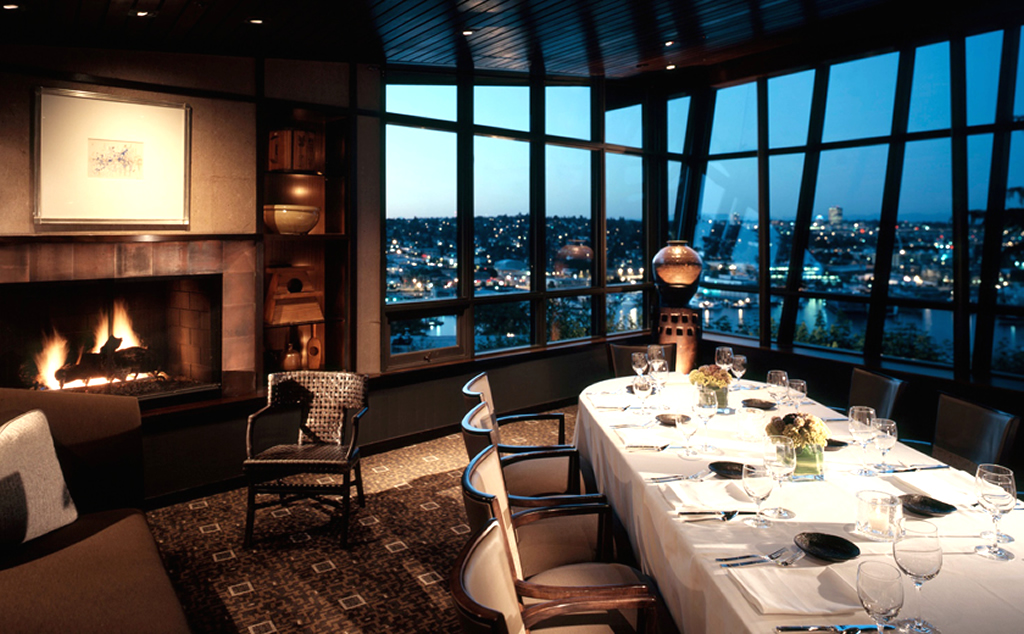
{"points": [[818, 590]]}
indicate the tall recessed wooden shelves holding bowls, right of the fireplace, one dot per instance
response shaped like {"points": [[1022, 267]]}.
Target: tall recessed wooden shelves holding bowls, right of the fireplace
{"points": [[308, 286]]}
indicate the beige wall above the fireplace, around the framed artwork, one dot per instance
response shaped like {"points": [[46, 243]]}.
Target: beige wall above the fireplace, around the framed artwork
{"points": [[224, 139]]}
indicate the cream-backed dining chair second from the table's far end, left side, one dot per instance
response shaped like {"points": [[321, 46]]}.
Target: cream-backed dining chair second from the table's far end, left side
{"points": [[550, 470]]}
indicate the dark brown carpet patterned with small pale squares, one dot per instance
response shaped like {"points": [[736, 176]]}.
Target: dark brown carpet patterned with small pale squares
{"points": [[394, 577]]}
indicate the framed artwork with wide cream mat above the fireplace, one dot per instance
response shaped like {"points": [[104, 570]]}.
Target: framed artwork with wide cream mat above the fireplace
{"points": [[106, 160]]}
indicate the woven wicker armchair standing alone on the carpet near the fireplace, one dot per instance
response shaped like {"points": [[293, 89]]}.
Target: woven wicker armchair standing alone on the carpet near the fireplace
{"points": [[322, 404]]}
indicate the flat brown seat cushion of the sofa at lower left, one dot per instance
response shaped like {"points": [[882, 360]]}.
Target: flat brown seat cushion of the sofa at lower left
{"points": [[101, 574]]}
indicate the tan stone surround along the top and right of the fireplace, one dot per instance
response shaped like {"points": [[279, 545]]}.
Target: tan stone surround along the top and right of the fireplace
{"points": [[105, 258]]}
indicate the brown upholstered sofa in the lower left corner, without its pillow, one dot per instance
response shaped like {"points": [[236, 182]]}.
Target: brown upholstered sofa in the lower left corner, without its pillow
{"points": [[102, 573]]}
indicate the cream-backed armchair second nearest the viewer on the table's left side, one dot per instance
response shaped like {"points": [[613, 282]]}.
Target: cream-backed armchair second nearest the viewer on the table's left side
{"points": [[570, 546]]}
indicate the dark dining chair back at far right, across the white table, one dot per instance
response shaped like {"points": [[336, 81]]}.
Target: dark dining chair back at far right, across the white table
{"points": [[968, 435]]}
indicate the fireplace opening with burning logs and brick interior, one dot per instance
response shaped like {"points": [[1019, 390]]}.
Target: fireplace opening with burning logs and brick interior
{"points": [[155, 339]]}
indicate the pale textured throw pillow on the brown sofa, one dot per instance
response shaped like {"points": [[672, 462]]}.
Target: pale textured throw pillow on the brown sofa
{"points": [[34, 498]]}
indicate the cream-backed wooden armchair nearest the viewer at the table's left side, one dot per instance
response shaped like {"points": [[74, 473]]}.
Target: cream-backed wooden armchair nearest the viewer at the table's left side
{"points": [[490, 601]]}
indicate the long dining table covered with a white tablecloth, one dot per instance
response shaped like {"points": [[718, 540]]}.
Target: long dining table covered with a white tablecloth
{"points": [[658, 492]]}
